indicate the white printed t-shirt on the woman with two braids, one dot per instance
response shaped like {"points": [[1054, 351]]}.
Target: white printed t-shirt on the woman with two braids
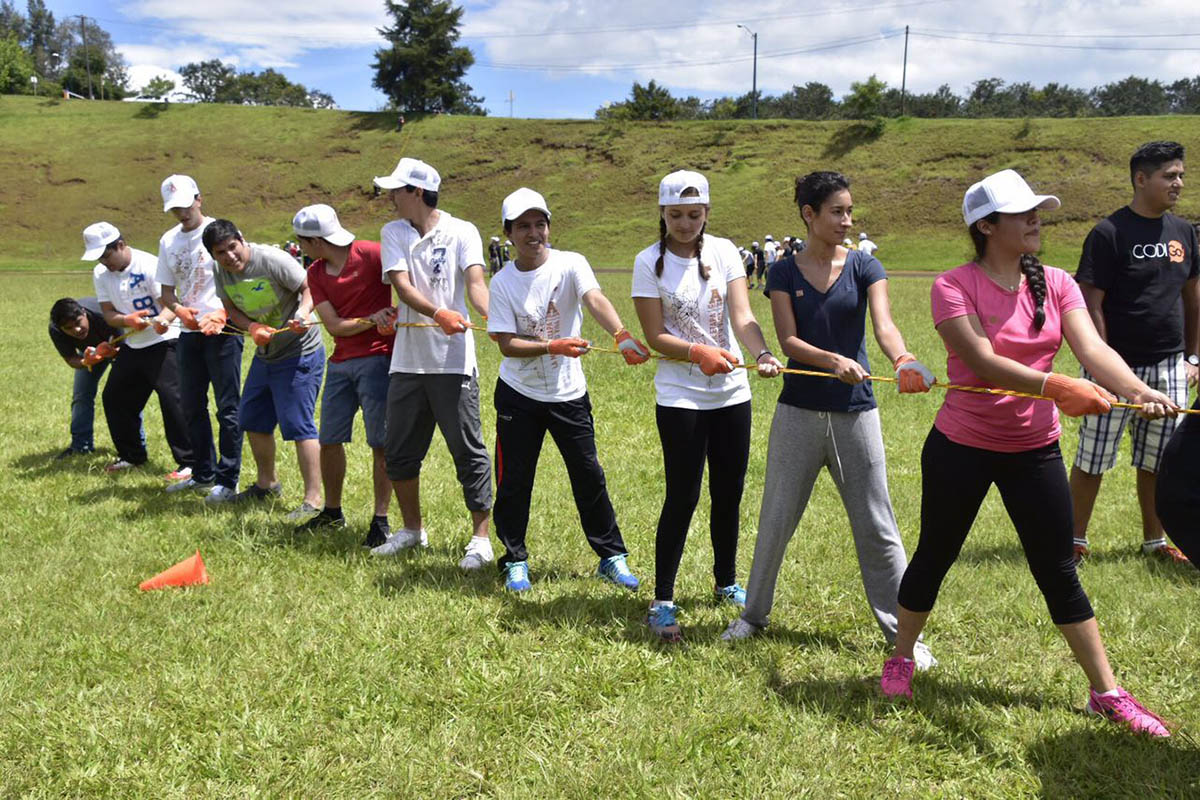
{"points": [[695, 311]]}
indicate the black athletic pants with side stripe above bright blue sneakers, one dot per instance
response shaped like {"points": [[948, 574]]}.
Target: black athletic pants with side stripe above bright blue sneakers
{"points": [[521, 426]]}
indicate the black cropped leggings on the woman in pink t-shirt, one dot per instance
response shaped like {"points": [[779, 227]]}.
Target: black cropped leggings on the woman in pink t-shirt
{"points": [[1034, 488]]}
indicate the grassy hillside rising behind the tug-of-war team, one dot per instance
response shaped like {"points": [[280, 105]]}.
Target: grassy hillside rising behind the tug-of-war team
{"points": [[70, 164]]}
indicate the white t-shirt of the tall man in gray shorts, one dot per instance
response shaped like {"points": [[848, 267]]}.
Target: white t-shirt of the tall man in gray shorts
{"points": [[436, 264]]}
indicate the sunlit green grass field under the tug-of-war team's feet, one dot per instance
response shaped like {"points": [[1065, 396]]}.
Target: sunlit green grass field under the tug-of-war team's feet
{"points": [[309, 670]]}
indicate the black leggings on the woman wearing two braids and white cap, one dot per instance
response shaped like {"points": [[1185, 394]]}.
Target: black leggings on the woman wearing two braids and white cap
{"points": [[688, 437]]}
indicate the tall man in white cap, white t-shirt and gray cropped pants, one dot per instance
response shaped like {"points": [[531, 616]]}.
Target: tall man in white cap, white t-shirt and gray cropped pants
{"points": [[435, 262]]}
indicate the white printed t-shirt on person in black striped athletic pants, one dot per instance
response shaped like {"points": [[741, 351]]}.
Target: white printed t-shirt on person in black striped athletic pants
{"points": [[548, 304]]}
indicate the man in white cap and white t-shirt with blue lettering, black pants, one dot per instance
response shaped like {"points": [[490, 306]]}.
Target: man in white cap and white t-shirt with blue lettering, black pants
{"points": [[146, 363]]}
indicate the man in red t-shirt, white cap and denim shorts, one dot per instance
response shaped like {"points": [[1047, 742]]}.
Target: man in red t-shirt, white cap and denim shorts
{"points": [[355, 304]]}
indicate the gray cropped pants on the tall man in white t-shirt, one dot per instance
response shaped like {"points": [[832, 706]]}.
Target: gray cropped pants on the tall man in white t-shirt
{"points": [[418, 402]]}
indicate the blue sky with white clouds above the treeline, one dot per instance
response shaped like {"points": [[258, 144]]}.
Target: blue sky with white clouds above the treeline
{"points": [[566, 58]]}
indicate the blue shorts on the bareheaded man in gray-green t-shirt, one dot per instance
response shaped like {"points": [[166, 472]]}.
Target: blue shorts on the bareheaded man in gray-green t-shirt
{"points": [[285, 394]]}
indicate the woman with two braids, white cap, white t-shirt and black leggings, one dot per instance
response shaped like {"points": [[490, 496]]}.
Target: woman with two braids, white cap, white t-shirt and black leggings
{"points": [[692, 299]]}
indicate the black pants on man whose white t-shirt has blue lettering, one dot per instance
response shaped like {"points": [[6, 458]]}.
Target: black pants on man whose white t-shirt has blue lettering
{"points": [[135, 375]]}
